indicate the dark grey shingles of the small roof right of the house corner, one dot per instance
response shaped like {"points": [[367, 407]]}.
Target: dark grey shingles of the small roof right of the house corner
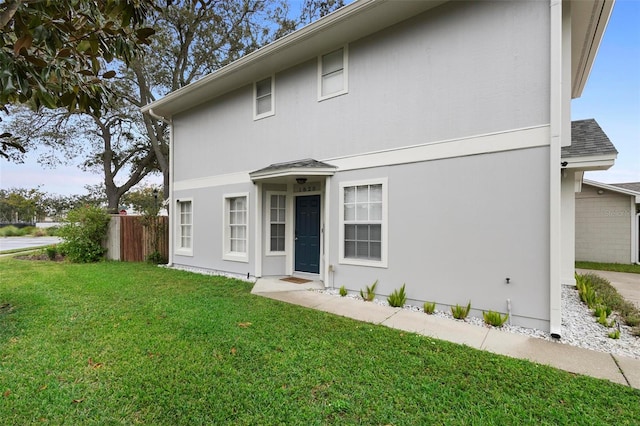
{"points": [[587, 139]]}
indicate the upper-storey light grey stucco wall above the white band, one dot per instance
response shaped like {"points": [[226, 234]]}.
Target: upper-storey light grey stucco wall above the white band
{"points": [[449, 73]]}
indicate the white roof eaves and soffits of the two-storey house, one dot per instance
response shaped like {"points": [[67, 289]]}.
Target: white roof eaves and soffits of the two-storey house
{"points": [[352, 22]]}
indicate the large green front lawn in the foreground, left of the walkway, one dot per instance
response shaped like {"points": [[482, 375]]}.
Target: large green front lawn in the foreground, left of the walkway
{"points": [[118, 343]]}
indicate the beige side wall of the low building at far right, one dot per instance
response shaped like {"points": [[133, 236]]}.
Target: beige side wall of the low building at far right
{"points": [[603, 226]]}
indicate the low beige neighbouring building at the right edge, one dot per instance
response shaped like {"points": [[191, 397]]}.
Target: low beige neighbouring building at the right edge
{"points": [[607, 222]]}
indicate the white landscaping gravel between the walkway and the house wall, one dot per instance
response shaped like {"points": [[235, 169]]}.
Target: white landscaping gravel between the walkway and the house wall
{"points": [[579, 326]]}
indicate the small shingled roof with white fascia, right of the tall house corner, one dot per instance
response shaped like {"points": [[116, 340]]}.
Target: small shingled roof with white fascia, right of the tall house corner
{"points": [[590, 147]]}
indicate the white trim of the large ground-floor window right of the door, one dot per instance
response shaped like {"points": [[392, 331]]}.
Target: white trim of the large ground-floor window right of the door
{"points": [[383, 262]]}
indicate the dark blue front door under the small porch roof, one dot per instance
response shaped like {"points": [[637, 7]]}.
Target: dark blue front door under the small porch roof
{"points": [[307, 255]]}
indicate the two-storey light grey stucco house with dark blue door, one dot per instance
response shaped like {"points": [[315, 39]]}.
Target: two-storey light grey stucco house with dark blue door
{"points": [[411, 142]]}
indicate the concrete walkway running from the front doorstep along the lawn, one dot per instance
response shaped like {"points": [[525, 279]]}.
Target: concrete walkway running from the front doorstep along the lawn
{"points": [[618, 369]]}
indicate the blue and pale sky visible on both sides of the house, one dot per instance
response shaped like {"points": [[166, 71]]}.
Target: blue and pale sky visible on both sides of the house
{"points": [[611, 97]]}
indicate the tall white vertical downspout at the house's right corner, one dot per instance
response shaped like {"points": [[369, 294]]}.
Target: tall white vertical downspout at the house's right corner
{"points": [[555, 143]]}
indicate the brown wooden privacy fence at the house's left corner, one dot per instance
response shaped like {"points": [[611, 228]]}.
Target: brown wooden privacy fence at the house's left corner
{"points": [[135, 238]]}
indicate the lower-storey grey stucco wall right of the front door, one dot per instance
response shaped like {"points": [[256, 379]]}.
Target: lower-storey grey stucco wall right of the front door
{"points": [[458, 228]]}
